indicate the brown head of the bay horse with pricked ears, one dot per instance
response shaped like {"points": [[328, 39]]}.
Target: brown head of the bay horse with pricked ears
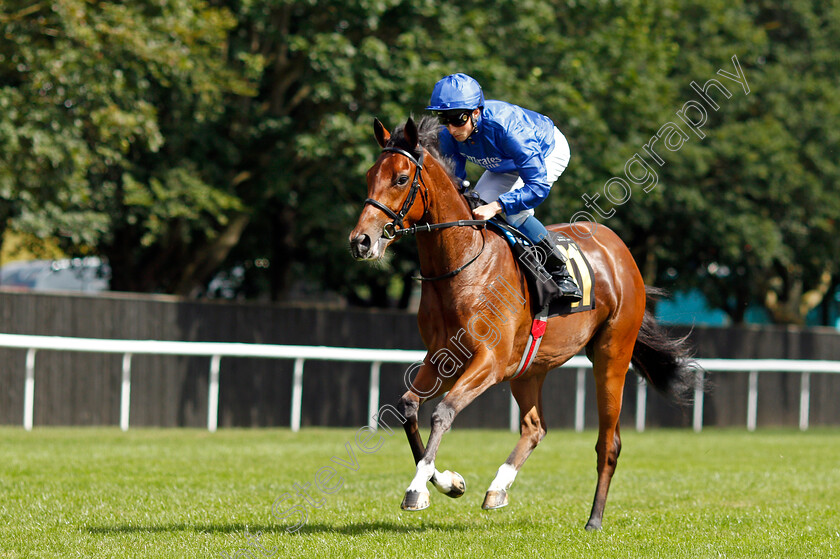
{"points": [[393, 185]]}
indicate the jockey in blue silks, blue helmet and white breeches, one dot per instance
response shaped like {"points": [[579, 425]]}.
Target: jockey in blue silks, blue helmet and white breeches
{"points": [[523, 154]]}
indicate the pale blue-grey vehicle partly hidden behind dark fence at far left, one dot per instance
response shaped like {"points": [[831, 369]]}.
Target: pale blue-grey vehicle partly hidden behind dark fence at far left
{"points": [[89, 275]]}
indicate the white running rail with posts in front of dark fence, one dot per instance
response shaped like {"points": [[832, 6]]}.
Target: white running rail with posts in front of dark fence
{"points": [[216, 351]]}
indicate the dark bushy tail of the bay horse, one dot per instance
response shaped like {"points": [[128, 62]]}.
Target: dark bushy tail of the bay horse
{"points": [[665, 362]]}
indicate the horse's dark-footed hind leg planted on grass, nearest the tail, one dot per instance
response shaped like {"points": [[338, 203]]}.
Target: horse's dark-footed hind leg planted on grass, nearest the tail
{"points": [[610, 368]]}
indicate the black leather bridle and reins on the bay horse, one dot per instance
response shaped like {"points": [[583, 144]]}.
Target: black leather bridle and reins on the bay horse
{"points": [[390, 230]]}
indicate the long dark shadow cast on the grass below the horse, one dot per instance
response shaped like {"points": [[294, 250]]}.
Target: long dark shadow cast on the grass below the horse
{"points": [[353, 529]]}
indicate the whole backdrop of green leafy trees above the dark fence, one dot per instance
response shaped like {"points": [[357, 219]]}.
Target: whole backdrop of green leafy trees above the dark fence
{"points": [[183, 137]]}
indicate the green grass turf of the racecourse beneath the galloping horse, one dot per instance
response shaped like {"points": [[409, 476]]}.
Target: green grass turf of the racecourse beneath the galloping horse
{"points": [[67, 492]]}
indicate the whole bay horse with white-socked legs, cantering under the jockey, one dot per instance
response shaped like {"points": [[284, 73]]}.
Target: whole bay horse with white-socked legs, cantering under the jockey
{"points": [[411, 189]]}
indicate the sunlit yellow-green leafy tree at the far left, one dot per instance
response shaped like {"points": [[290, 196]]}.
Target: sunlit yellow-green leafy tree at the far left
{"points": [[102, 105]]}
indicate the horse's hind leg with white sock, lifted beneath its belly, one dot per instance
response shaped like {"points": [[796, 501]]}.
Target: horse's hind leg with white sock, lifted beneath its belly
{"points": [[532, 429]]}
